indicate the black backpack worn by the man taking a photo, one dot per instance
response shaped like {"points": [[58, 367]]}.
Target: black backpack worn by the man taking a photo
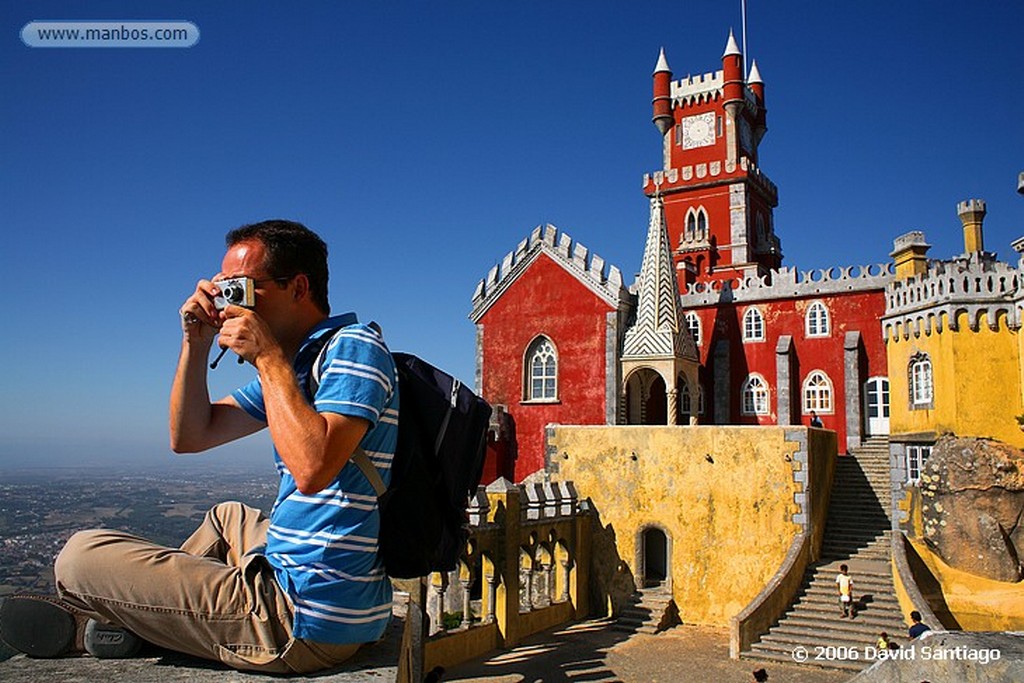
{"points": [[443, 429]]}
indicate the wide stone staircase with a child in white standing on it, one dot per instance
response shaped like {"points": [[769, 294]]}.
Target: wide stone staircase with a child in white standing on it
{"points": [[858, 534]]}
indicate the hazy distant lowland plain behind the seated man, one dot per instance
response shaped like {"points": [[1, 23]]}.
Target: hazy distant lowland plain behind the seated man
{"points": [[40, 510]]}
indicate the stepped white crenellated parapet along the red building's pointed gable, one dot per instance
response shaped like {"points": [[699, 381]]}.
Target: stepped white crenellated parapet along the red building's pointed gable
{"points": [[604, 279]]}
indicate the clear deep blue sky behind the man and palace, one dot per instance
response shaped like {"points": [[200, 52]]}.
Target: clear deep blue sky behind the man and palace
{"points": [[424, 141]]}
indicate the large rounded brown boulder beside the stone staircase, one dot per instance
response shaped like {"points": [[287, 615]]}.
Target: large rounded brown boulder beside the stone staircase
{"points": [[973, 504]]}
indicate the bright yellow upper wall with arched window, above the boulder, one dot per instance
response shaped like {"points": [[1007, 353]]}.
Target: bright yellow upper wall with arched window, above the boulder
{"points": [[977, 381]]}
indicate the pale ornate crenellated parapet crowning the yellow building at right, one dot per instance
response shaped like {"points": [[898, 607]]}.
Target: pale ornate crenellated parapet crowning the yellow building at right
{"points": [[984, 290]]}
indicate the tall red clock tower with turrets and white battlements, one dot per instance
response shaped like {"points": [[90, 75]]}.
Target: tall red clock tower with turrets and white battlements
{"points": [[718, 205]]}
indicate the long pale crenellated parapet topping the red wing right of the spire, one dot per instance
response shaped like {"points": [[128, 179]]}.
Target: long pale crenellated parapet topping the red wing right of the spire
{"points": [[787, 283]]}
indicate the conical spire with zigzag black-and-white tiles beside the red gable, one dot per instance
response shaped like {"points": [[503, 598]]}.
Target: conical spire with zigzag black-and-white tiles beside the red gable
{"points": [[658, 331]]}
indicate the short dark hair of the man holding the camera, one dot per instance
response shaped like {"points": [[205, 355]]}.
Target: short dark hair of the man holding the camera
{"points": [[291, 248]]}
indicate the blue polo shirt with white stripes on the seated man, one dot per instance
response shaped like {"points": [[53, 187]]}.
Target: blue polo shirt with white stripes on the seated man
{"points": [[324, 545]]}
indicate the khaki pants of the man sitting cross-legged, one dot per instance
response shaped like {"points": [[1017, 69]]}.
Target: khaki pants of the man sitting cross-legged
{"points": [[212, 599]]}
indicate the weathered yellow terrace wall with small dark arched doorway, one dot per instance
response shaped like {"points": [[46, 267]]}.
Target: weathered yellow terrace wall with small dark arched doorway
{"points": [[727, 498]]}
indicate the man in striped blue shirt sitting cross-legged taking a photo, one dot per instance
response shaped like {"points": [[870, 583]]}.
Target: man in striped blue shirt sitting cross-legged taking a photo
{"points": [[298, 591]]}
